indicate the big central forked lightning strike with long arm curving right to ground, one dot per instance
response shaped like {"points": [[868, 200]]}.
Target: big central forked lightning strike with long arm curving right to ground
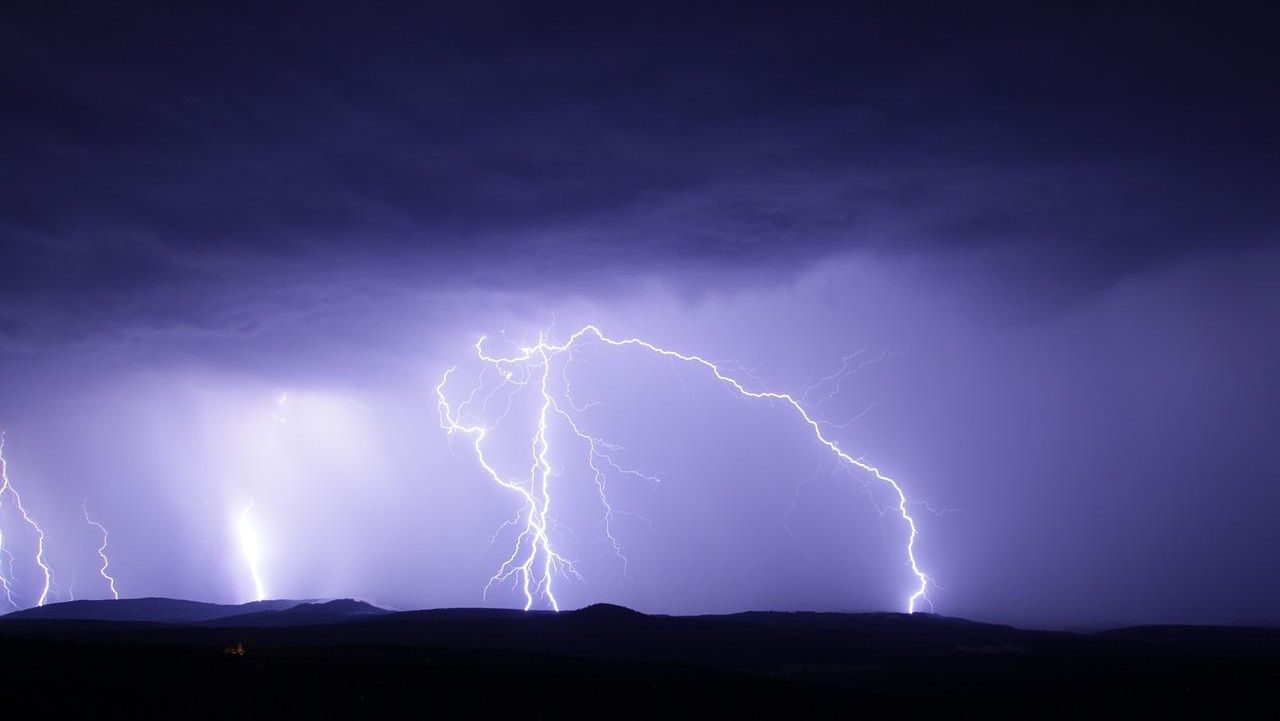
{"points": [[534, 563]]}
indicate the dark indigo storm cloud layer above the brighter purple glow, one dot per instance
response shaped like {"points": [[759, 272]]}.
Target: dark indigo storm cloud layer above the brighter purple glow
{"points": [[150, 147]]}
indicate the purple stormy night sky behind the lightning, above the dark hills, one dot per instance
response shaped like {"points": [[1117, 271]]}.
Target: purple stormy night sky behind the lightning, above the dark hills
{"points": [[1055, 232]]}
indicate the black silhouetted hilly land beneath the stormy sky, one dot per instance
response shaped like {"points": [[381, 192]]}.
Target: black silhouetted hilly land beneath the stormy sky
{"points": [[346, 659]]}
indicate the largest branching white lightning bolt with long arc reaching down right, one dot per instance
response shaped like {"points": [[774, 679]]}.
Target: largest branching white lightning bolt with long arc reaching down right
{"points": [[537, 517]]}
